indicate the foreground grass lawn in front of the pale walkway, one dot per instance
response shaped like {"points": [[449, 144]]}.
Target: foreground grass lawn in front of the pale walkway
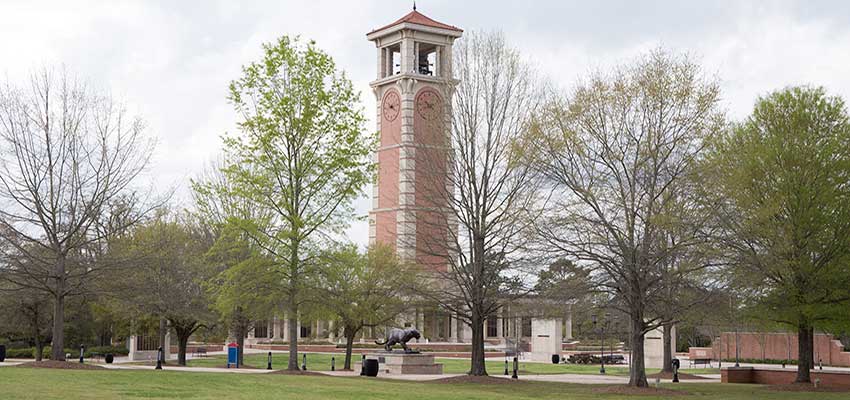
{"points": [[31, 383]]}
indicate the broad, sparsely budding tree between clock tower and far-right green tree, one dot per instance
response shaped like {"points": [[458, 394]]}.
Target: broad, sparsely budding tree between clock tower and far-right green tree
{"points": [[619, 153]]}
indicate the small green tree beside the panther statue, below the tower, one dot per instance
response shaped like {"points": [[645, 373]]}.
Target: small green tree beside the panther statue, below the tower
{"points": [[363, 290]]}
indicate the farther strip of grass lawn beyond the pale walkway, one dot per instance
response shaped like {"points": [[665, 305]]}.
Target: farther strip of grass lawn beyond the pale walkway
{"points": [[322, 362]]}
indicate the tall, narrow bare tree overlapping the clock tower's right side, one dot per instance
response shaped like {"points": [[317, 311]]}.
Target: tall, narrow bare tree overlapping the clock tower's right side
{"points": [[481, 207]]}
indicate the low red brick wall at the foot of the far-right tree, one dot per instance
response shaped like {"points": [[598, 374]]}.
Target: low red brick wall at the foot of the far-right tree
{"points": [[769, 376]]}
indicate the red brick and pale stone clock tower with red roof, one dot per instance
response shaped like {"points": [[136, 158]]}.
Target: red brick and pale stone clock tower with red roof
{"points": [[413, 90]]}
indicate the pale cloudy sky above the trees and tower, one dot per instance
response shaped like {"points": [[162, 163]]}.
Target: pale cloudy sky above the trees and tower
{"points": [[171, 61]]}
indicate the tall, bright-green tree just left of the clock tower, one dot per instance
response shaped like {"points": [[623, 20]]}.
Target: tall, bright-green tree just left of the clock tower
{"points": [[302, 157]]}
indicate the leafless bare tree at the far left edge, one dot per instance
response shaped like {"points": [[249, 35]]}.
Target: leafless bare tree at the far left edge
{"points": [[67, 156]]}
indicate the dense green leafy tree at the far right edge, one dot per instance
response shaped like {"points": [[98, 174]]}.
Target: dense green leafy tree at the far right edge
{"points": [[782, 178]]}
